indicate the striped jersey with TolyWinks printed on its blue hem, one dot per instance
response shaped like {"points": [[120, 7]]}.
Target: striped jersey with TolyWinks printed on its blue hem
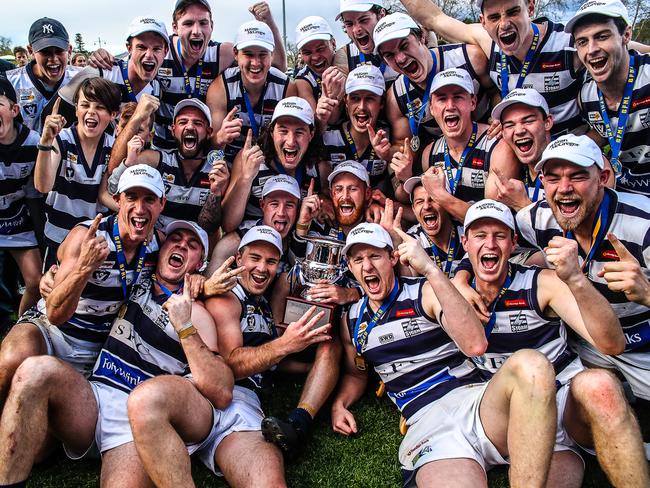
{"points": [[142, 343]]}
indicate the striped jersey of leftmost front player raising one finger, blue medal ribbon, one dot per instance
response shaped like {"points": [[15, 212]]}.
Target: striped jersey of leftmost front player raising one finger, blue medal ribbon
{"points": [[103, 295]]}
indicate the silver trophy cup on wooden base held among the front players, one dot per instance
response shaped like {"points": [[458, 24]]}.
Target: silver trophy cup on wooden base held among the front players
{"points": [[322, 261]]}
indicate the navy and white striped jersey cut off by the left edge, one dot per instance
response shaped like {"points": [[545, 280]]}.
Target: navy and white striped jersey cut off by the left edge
{"points": [[17, 161]]}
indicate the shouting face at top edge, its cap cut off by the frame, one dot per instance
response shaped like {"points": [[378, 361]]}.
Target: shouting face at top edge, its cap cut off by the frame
{"points": [[508, 23]]}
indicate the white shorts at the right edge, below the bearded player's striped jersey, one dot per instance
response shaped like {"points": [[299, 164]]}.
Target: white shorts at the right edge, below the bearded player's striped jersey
{"points": [[634, 366]]}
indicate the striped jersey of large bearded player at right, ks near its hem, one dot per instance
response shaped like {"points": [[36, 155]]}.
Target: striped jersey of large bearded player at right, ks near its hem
{"points": [[629, 220]]}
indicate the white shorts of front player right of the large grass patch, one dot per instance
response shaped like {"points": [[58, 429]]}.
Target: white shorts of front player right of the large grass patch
{"points": [[449, 428]]}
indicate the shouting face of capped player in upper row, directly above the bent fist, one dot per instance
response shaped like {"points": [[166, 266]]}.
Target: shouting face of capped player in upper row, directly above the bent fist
{"points": [[451, 107]]}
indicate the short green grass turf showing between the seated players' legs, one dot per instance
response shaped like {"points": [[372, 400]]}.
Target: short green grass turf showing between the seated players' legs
{"points": [[330, 460]]}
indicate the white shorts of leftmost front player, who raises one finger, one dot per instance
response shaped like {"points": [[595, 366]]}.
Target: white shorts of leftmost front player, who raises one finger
{"points": [[81, 355]]}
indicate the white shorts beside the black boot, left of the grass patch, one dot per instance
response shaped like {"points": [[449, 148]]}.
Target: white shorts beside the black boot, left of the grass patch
{"points": [[244, 414]]}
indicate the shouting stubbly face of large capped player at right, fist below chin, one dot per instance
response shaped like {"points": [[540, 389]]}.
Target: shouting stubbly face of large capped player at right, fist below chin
{"points": [[573, 192]]}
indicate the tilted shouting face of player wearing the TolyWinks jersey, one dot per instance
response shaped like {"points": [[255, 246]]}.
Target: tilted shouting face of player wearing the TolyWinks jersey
{"points": [[180, 253]]}
